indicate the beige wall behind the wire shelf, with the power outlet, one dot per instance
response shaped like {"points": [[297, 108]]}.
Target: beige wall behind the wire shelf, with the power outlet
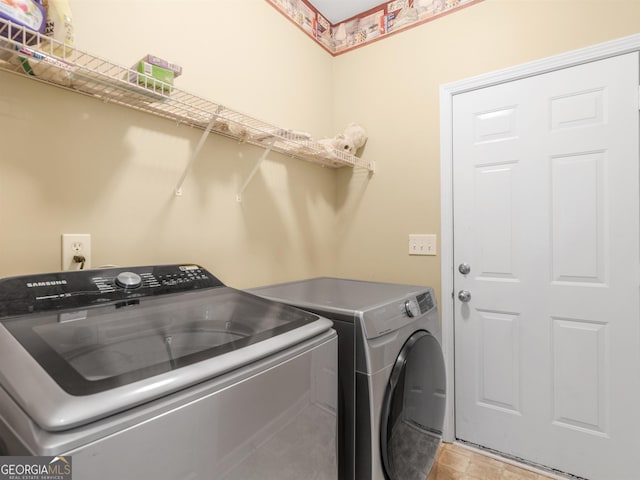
{"points": [[71, 164]]}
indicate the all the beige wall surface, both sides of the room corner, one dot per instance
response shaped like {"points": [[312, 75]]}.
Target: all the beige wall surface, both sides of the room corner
{"points": [[70, 164]]}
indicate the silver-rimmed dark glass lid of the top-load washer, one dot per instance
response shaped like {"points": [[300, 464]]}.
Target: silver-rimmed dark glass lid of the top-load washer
{"points": [[66, 367]]}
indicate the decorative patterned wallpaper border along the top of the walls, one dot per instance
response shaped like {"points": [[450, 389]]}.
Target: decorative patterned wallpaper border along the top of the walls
{"points": [[386, 19]]}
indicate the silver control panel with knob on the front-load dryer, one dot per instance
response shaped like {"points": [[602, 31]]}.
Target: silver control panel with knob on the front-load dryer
{"points": [[395, 315]]}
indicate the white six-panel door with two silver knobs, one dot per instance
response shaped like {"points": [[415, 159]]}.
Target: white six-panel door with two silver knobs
{"points": [[546, 215]]}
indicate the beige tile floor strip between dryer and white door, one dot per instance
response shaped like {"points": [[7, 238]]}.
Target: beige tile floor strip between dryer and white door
{"points": [[455, 462]]}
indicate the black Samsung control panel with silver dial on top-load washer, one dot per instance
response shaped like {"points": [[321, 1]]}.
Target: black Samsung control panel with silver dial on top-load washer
{"points": [[85, 288]]}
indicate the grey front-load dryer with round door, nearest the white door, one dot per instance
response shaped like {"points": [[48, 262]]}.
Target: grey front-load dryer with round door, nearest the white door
{"points": [[390, 368]]}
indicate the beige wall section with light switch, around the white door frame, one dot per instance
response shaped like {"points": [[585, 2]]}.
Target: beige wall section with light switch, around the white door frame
{"points": [[392, 87]]}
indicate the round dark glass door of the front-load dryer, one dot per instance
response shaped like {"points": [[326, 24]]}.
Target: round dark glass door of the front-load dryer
{"points": [[413, 409]]}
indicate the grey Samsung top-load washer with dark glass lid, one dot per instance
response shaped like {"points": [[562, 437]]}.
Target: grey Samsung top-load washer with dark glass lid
{"points": [[163, 372]]}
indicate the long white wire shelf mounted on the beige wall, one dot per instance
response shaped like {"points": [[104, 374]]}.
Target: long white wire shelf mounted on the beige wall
{"points": [[41, 58]]}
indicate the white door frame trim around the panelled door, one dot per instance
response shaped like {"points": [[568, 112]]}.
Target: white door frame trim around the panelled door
{"points": [[447, 92]]}
